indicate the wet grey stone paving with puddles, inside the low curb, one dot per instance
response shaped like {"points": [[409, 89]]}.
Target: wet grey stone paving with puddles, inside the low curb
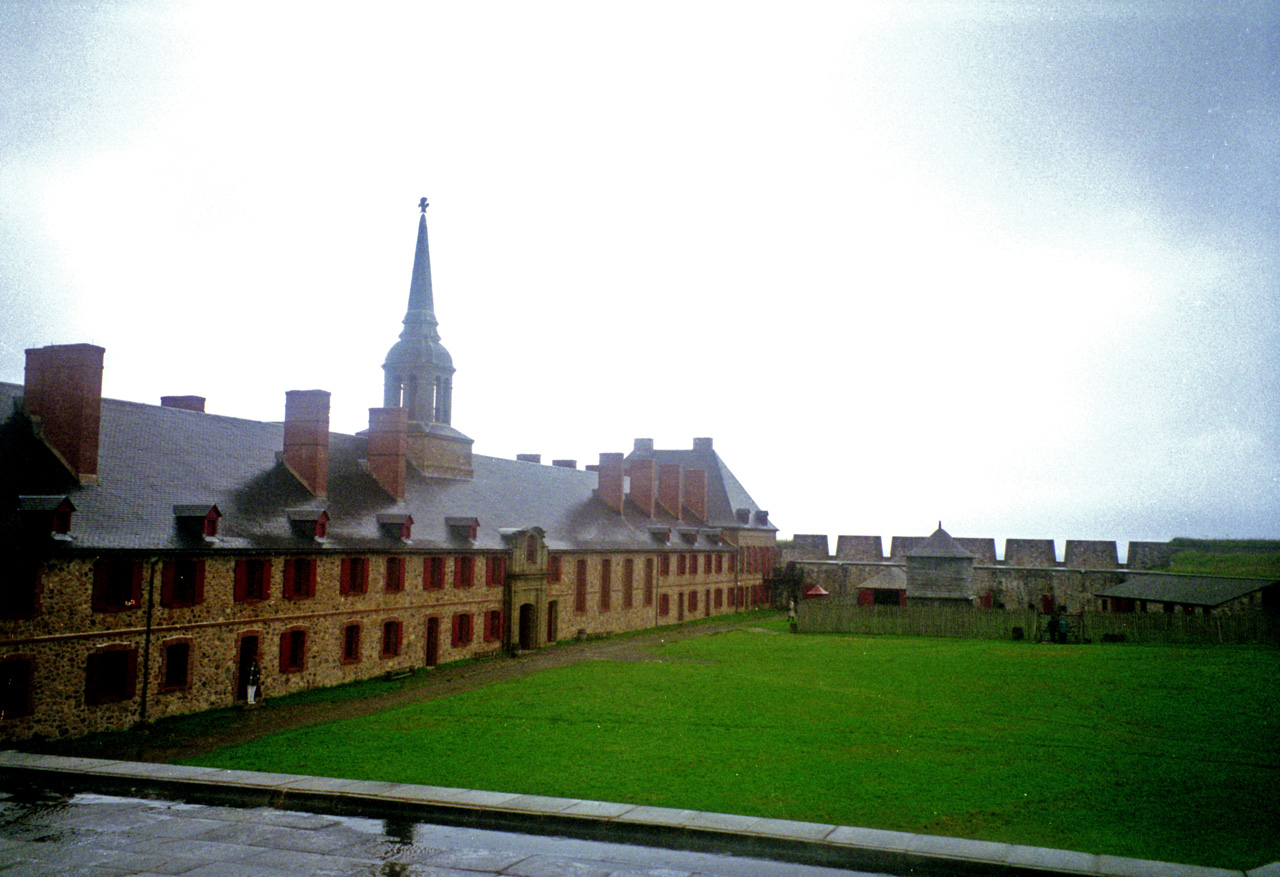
{"points": [[107, 837]]}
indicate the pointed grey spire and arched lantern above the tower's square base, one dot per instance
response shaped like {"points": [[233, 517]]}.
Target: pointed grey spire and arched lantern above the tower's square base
{"points": [[419, 371]]}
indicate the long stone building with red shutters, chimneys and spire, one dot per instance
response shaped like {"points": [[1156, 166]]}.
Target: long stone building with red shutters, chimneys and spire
{"points": [[156, 558]]}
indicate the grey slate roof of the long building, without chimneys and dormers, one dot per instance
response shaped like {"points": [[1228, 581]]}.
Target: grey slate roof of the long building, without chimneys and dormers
{"points": [[153, 459]]}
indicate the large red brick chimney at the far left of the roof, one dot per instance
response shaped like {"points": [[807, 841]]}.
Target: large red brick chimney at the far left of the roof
{"points": [[63, 396]]}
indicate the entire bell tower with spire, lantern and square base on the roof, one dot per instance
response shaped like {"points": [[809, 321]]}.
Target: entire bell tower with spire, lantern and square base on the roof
{"points": [[419, 378]]}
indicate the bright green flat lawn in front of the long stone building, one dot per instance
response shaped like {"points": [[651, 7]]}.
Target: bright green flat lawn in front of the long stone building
{"points": [[1150, 752]]}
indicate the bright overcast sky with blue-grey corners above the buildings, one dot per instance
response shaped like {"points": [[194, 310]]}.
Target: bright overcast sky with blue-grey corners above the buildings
{"points": [[1013, 266]]}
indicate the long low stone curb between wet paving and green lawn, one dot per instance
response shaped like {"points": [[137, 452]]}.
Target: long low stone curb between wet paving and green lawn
{"points": [[804, 843]]}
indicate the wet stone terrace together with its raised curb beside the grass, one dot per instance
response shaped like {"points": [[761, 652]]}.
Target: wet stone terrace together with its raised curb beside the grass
{"points": [[100, 817]]}
